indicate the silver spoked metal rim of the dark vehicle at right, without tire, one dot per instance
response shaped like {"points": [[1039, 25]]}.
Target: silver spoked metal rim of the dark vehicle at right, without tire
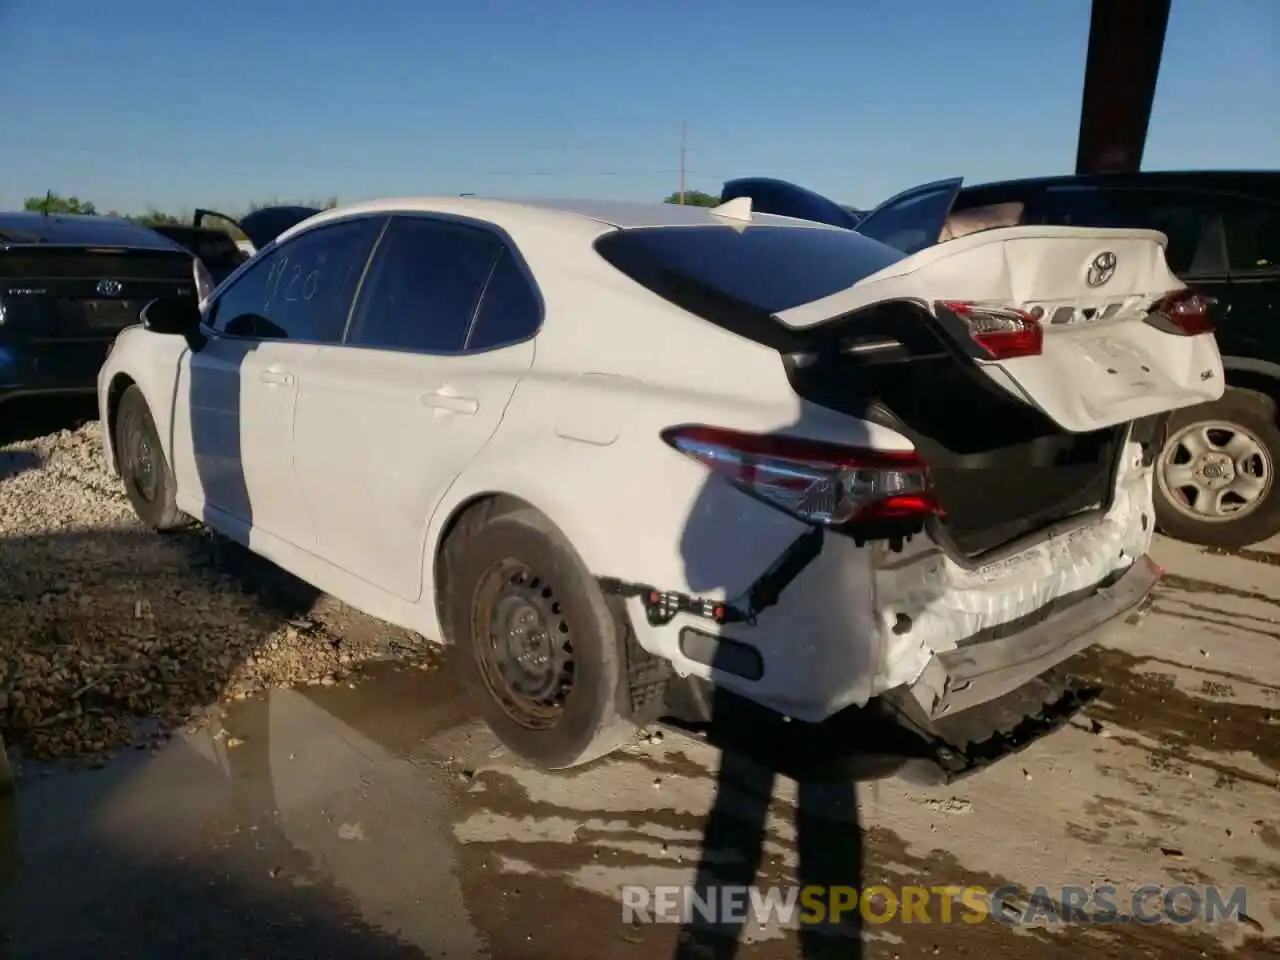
{"points": [[1214, 472]]}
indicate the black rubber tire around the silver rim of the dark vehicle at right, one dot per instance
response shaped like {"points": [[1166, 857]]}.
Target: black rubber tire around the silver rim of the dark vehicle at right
{"points": [[1252, 415]]}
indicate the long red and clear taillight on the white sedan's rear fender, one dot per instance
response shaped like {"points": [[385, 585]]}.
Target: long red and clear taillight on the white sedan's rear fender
{"points": [[820, 483]]}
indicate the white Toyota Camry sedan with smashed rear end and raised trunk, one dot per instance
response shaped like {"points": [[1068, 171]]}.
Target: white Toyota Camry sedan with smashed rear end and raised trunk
{"points": [[610, 450]]}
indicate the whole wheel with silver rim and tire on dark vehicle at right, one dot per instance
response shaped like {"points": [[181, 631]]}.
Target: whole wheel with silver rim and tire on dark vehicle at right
{"points": [[1215, 478]]}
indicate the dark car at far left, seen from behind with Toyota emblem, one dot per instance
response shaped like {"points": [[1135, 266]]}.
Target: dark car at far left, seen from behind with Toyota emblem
{"points": [[68, 286]]}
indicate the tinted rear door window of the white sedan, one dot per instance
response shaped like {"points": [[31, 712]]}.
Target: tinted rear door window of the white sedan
{"points": [[424, 286]]}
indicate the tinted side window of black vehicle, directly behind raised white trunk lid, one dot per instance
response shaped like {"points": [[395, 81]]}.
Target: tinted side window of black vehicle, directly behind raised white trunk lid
{"points": [[1180, 217]]}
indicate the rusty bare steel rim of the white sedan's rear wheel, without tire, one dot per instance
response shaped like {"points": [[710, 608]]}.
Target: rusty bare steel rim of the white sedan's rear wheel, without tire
{"points": [[524, 651]]}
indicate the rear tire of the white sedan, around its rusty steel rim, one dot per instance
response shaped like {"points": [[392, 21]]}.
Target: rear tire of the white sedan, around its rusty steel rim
{"points": [[519, 563]]}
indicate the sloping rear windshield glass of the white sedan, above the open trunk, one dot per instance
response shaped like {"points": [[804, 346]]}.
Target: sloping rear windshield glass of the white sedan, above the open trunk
{"points": [[770, 269]]}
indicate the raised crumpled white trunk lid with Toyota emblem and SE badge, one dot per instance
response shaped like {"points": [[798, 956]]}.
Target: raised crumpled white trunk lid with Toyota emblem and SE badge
{"points": [[1103, 364]]}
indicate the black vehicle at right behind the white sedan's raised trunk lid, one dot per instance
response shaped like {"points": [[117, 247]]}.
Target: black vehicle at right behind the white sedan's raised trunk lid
{"points": [[1217, 476]]}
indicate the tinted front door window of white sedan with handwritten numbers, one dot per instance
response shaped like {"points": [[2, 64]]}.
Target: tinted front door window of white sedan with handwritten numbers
{"points": [[303, 290]]}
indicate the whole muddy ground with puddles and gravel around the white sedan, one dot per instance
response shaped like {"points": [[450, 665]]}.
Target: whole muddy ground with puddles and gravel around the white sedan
{"points": [[307, 797]]}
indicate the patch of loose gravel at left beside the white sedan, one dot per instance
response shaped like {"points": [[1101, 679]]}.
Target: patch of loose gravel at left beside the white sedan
{"points": [[115, 637]]}
